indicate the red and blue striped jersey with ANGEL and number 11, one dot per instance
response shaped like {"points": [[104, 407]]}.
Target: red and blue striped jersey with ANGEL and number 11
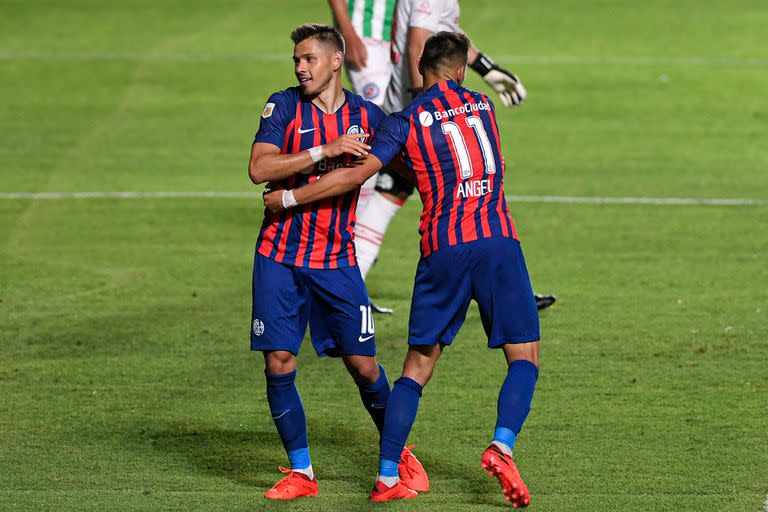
{"points": [[449, 138]]}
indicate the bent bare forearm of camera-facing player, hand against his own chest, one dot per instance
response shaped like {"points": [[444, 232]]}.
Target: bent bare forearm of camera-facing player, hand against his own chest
{"points": [[268, 164]]}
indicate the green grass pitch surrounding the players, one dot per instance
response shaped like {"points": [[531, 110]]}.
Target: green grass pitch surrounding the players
{"points": [[126, 382]]}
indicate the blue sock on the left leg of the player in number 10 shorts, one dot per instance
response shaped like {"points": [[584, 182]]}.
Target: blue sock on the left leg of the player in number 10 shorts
{"points": [[288, 415]]}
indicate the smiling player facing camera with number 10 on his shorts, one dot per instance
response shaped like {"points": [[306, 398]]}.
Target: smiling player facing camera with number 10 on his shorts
{"points": [[305, 269]]}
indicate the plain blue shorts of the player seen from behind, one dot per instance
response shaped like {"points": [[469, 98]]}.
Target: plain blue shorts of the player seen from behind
{"points": [[491, 271]]}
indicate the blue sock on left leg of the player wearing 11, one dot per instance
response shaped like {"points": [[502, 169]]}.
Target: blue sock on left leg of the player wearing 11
{"points": [[398, 420]]}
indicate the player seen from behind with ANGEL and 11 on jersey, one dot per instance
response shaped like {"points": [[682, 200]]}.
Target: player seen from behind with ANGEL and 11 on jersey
{"points": [[448, 138]]}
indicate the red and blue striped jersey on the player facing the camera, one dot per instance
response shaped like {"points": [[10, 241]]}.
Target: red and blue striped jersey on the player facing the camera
{"points": [[317, 235]]}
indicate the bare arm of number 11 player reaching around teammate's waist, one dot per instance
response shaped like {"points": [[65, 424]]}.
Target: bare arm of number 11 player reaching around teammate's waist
{"points": [[337, 182]]}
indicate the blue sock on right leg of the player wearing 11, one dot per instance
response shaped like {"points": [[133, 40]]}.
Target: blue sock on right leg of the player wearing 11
{"points": [[515, 401]]}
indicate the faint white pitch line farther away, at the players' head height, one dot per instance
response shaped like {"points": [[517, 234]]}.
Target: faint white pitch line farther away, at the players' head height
{"points": [[608, 60]]}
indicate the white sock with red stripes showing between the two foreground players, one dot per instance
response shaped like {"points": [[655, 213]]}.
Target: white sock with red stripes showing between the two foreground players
{"points": [[372, 223]]}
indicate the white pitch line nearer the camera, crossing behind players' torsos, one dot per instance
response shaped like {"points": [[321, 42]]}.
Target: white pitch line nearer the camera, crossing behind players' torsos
{"points": [[673, 201]]}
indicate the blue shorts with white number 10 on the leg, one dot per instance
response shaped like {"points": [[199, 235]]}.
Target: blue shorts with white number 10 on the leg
{"points": [[333, 302]]}
